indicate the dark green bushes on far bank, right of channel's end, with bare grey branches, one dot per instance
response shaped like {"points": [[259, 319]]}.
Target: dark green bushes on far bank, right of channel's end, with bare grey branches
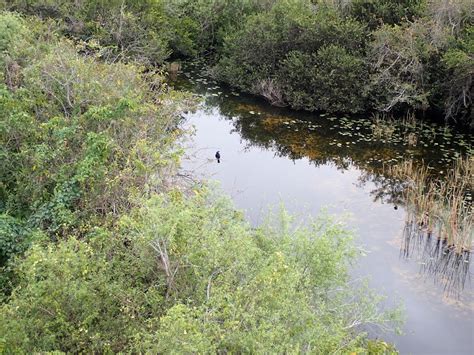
{"points": [[370, 55]]}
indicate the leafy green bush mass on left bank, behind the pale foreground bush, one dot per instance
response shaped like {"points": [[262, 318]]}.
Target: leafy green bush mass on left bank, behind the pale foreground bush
{"points": [[80, 137]]}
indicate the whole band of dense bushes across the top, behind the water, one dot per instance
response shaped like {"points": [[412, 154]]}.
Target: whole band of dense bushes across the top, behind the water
{"points": [[339, 56]]}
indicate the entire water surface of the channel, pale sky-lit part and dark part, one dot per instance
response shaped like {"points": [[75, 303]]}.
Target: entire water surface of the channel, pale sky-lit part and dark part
{"points": [[308, 163]]}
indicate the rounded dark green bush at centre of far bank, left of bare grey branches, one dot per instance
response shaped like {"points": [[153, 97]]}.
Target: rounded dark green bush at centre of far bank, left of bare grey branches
{"points": [[295, 46]]}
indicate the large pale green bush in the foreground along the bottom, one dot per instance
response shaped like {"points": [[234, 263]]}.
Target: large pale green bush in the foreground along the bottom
{"points": [[189, 274]]}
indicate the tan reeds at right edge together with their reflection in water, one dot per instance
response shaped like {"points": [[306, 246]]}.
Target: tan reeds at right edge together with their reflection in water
{"points": [[439, 227]]}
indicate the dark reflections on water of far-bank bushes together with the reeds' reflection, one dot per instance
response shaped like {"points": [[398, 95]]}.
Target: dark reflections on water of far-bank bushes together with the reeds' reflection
{"points": [[346, 143]]}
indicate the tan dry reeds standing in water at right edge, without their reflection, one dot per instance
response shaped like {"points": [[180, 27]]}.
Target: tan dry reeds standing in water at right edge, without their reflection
{"points": [[440, 207]]}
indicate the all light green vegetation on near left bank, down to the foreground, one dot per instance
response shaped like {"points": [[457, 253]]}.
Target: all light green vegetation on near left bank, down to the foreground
{"points": [[104, 249]]}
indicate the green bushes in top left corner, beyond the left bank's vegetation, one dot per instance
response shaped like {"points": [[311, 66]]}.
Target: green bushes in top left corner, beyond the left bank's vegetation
{"points": [[135, 30]]}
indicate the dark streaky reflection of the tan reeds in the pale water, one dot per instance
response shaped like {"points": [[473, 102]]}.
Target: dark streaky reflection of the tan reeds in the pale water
{"points": [[439, 260]]}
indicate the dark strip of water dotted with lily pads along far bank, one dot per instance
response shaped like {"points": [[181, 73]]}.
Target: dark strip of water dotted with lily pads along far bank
{"points": [[367, 142]]}
